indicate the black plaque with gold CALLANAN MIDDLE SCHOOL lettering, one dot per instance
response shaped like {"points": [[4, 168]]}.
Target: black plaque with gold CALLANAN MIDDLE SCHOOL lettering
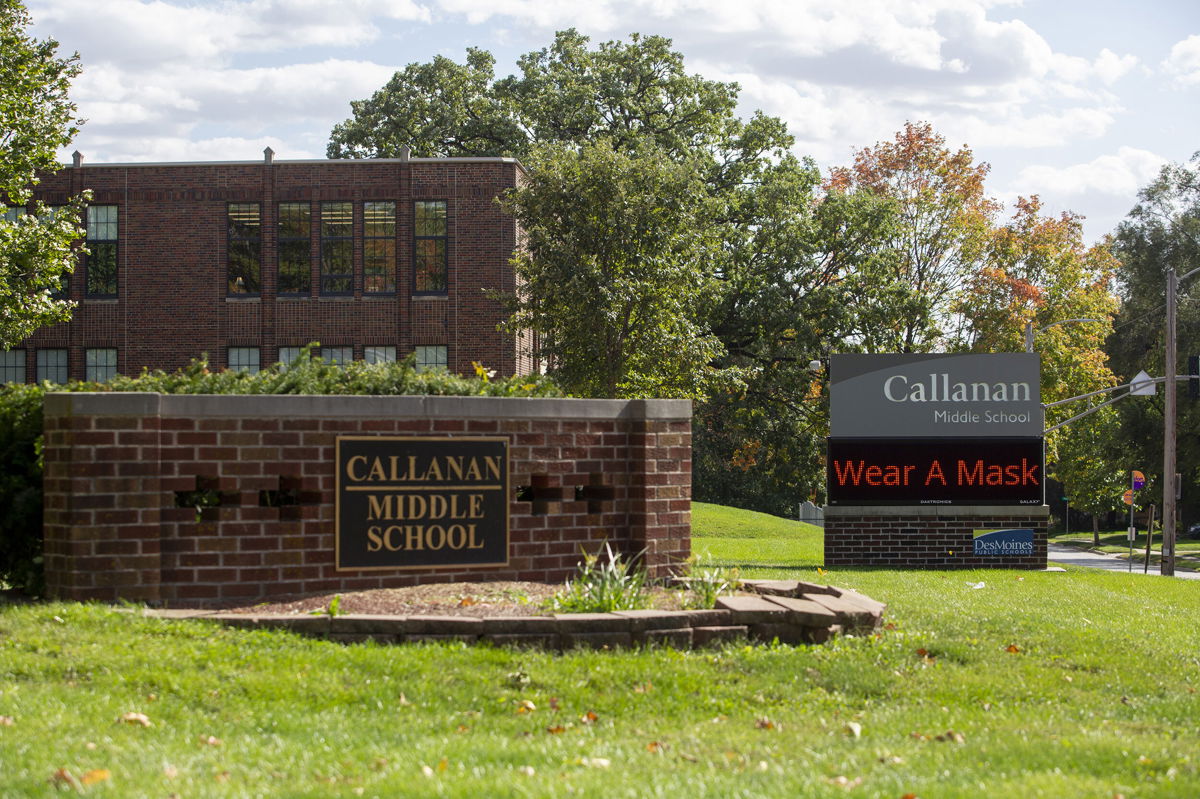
{"points": [[406, 503]]}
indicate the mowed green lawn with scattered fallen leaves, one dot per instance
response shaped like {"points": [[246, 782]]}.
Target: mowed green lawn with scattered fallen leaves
{"points": [[983, 684]]}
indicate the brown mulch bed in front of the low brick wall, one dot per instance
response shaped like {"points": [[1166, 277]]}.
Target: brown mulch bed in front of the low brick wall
{"points": [[445, 599]]}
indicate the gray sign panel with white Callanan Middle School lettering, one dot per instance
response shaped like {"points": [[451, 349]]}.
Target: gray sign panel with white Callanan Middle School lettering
{"points": [[933, 397]]}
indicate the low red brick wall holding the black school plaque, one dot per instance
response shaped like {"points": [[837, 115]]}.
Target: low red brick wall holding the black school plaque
{"points": [[598, 471]]}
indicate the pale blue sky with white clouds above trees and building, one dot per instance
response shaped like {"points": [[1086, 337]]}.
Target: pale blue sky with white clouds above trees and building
{"points": [[1078, 101]]}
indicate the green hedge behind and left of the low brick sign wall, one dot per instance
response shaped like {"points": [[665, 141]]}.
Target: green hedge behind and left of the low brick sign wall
{"points": [[21, 425]]}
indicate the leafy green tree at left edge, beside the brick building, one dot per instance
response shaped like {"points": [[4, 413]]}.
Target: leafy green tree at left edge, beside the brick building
{"points": [[37, 119]]}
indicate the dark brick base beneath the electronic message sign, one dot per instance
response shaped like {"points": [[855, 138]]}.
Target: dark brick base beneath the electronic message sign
{"points": [[929, 538]]}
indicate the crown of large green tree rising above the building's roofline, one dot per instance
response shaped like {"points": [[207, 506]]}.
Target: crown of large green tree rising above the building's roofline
{"points": [[569, 94]]}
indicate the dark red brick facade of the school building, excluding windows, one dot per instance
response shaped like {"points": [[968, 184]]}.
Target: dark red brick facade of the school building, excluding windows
{"points": [[172, 304]]}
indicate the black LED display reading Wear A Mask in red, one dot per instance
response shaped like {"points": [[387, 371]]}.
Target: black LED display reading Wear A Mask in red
{"points": [[932, 472]]}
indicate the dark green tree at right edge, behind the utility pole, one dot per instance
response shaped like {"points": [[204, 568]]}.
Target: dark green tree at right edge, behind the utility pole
{"points": [[1161, 233]]}
